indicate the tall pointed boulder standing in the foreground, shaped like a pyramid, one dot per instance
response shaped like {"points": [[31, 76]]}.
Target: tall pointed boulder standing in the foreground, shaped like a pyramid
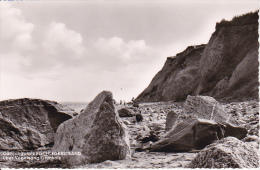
{"points": [[98, 134]]}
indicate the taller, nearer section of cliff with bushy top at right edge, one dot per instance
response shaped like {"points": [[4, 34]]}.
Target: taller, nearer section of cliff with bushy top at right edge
{"points": [[229, 65]]}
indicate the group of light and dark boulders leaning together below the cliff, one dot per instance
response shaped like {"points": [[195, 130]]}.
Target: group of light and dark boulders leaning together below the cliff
{"points": [[202, 122]]}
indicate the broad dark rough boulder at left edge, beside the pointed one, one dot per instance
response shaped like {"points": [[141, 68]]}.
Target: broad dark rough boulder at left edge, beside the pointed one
{"points": [[30, 123]]}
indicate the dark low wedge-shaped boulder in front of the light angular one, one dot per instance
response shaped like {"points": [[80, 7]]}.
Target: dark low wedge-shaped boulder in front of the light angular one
{"points": [[188, 135]]}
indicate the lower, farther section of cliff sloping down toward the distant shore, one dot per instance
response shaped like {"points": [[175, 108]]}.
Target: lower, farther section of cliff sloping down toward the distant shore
{"points": [[168, 84]]}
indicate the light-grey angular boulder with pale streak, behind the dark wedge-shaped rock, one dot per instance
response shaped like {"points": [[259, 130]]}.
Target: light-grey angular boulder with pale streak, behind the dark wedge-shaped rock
{"points": [[206, 107]]}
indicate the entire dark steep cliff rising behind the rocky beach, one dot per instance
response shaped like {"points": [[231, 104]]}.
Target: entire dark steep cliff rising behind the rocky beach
{"points": [[225, 68]]}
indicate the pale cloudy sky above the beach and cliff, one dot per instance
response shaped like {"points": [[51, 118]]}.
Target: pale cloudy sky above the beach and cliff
{"points": [[72, 50]]}
